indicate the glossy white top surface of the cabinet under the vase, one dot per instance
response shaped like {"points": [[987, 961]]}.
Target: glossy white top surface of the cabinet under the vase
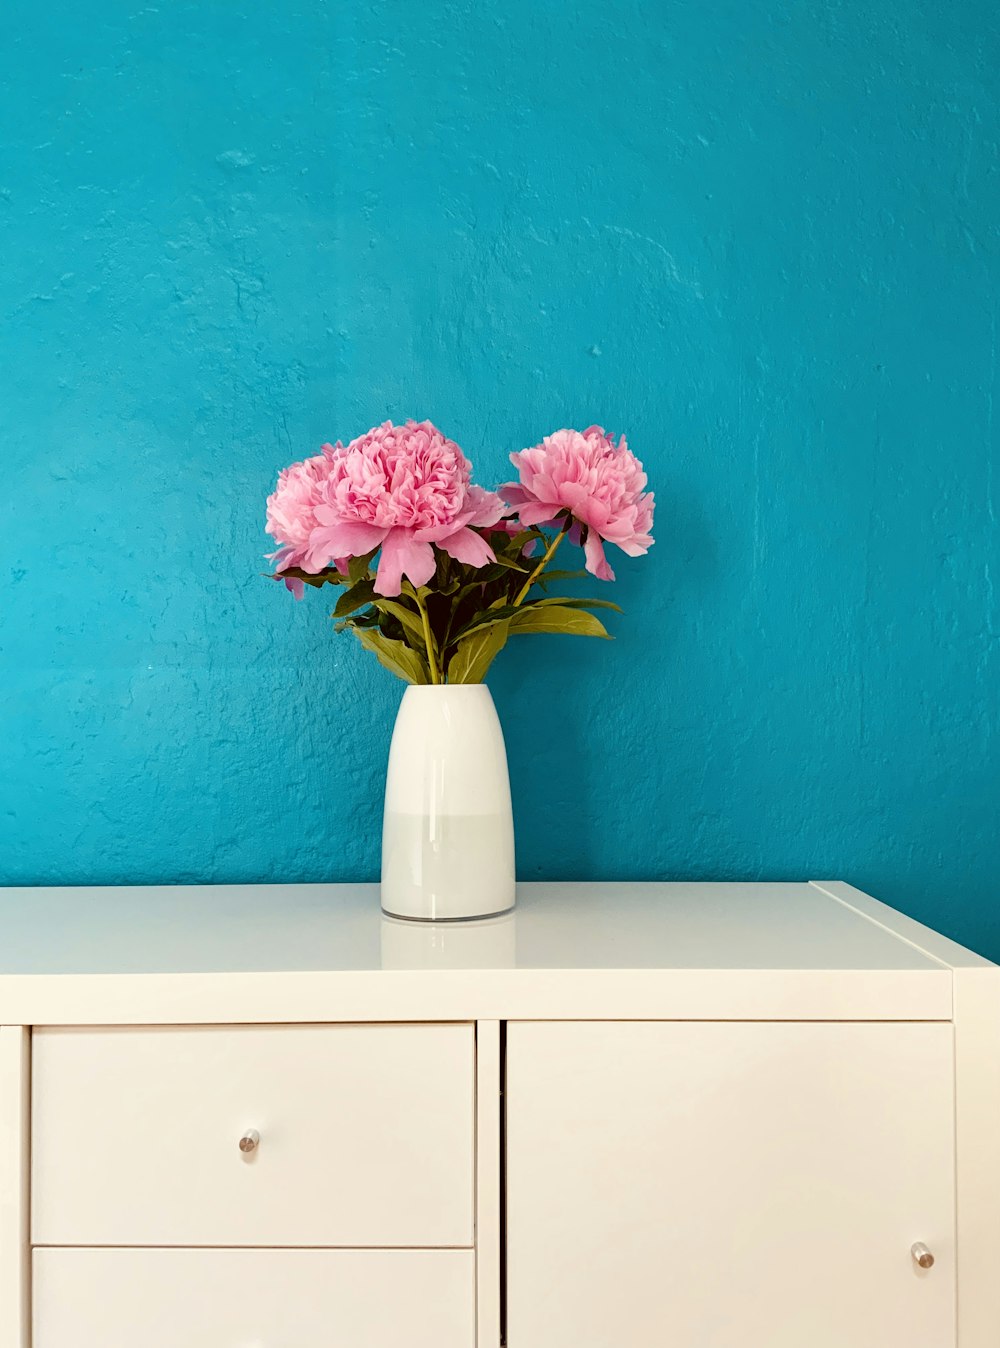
{"points": [[556, 927]]}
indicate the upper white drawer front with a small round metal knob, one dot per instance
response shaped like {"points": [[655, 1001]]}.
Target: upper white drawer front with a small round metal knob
{"points": [[366, 1136]]}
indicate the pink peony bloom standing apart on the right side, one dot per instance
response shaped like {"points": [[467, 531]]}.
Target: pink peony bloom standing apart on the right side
{"points": [[599, 483]]}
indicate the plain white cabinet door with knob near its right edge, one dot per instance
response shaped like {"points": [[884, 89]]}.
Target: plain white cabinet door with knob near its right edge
{"points": [[739, 1186]]}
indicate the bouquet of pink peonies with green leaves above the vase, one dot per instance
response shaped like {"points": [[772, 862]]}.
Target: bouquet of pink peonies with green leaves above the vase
{"points": [[437, 574]]}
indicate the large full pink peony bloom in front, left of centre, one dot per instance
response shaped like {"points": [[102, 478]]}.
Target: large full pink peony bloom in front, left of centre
{"points": [[401, 489]]}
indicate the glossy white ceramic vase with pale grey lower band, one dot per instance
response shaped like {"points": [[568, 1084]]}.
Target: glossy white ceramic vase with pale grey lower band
{"points": [[448, 828]]}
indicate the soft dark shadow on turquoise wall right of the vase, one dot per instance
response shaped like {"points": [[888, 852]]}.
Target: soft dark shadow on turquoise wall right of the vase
{"points": [[606, 760]]}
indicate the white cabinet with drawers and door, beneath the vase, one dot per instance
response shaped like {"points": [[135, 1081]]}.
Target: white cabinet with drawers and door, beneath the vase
{"points": [[623, 1117]]}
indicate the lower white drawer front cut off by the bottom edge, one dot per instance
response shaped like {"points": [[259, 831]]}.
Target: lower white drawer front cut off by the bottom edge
{"points": [[270, 1299]]}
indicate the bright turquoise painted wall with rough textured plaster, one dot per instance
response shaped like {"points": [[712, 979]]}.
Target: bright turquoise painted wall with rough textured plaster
{"points": [[762, 238]]}
